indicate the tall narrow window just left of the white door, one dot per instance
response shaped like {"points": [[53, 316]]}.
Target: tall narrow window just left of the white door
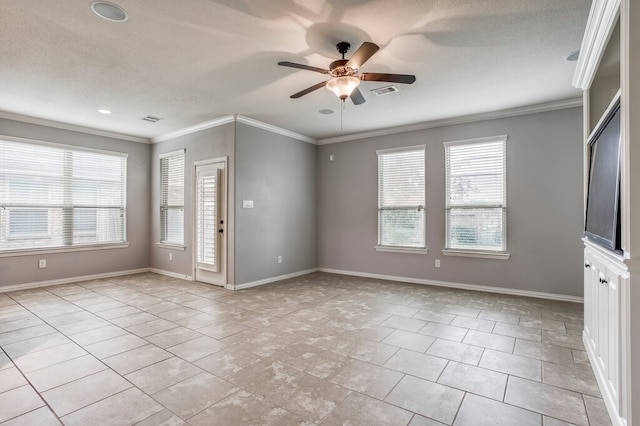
{"points": [[172, 198]]}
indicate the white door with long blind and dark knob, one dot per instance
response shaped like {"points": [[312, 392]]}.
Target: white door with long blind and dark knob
{"points": [[211, 222]]}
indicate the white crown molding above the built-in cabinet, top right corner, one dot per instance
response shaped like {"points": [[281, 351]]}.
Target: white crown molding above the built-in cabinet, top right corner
{"points": [[600, 25]]}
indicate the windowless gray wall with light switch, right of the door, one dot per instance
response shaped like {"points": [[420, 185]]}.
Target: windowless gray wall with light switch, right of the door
{"points": [[278, 174]]}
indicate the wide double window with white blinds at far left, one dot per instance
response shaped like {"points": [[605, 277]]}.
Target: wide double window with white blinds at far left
{"points": [[54, 196]]}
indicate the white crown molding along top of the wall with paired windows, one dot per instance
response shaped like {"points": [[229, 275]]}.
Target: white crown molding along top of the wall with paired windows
{"points": [[531, 109]]}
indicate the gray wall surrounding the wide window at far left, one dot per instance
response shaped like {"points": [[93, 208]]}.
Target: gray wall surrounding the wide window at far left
{"points": [[24, 269]]}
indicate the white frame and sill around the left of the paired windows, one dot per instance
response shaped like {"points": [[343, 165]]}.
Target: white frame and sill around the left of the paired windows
{"points": [[421, 207]]}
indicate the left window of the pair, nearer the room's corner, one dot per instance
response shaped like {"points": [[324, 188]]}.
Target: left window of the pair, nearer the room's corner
{"points": [[401, 198]]}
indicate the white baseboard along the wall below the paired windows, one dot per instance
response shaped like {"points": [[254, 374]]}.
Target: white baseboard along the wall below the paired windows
{"points": [[462, 286]]}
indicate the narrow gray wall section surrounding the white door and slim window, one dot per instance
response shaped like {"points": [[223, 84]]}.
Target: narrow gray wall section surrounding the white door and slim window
{"points": [[207, 144]]}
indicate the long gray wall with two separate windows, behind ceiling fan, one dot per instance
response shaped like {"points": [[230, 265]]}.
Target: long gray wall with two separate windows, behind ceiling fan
{"points": [[544, 204]]}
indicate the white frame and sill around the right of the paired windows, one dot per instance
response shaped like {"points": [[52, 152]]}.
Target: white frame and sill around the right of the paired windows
{"points": [[501, 253]]}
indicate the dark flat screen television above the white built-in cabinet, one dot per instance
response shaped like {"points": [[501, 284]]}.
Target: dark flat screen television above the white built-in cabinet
{"points": [[602, 219]]}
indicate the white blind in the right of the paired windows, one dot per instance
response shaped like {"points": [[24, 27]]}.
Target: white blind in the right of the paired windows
{"points": [[476, 209]]}
